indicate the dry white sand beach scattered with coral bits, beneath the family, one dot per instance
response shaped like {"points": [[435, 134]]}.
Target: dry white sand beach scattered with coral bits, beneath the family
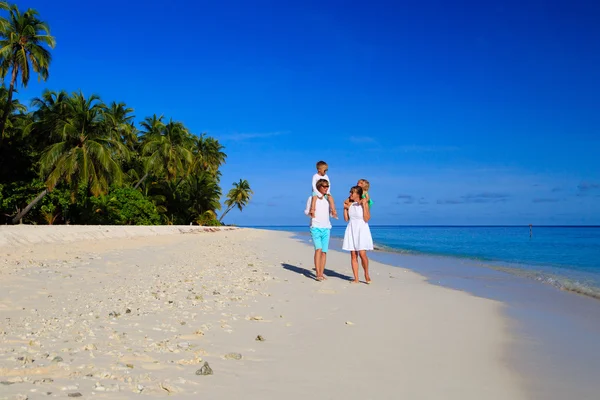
{"points": [[123, 312]]}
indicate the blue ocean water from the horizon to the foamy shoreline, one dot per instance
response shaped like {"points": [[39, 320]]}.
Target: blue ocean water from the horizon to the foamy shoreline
{"points": [[565, 257]]}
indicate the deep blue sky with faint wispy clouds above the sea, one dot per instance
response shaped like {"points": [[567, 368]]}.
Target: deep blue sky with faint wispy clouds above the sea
{"points": [[462, 112]]}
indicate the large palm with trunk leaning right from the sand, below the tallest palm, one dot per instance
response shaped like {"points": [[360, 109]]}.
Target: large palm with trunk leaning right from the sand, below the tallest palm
{"points": [[86, 153]]}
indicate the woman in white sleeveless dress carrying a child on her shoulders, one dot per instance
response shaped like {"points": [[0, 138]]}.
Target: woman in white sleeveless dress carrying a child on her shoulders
{"points": [[357, 238]]}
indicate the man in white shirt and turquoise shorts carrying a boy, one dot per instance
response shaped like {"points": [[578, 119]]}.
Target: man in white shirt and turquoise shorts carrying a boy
{"points": [[320, 226]]}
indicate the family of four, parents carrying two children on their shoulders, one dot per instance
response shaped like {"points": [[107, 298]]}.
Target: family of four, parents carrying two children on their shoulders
{"points": [[357, 212]]}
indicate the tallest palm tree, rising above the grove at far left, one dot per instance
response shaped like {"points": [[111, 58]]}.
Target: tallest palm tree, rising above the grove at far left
{"points": [[22, 41]]}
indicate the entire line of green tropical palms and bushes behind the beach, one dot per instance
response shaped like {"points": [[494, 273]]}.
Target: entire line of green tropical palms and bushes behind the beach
{"points": [[71, 158]]}
